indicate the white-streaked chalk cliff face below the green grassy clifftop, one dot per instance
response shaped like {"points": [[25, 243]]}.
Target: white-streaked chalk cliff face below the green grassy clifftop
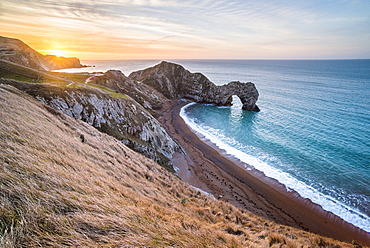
{"points": [[121, 117]]}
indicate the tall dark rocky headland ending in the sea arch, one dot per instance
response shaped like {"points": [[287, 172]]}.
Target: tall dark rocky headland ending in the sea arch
{"points": [[174, 81]]}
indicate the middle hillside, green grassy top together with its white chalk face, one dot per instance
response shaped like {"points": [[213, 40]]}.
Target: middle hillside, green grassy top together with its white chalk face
{"points": [[110, 111]]}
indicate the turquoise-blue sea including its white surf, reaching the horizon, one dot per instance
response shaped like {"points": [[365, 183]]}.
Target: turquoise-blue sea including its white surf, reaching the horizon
{"points": [[312, 133]]}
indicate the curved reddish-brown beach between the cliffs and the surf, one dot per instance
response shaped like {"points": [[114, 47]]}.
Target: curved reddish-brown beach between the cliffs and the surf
{"points": [[207, 168]]}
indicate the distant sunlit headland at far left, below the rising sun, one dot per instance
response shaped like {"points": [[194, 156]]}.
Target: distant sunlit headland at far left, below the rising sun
{"points": [[18, 52]]}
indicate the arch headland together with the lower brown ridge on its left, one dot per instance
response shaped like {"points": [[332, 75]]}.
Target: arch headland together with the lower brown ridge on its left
{"points": [[155, 86]]}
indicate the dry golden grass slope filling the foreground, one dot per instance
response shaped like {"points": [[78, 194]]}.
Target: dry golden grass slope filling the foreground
{"points": [[63, 183]]}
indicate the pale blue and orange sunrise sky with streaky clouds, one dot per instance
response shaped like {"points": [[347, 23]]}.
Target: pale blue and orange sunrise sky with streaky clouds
{"points": [[191, 29]]}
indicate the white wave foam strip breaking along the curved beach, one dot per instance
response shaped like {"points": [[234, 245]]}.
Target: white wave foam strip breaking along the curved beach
{"points": [[329, 203]]}
